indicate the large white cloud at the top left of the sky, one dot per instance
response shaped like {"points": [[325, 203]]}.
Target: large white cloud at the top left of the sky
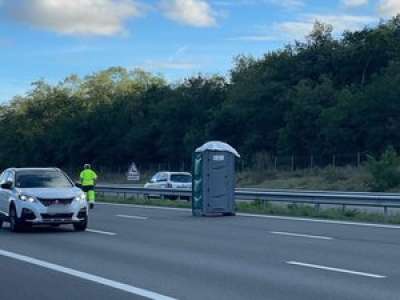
{"points": [[76, 17]]}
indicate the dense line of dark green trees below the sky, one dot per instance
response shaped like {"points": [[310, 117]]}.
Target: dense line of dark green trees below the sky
{"points": [[325, 95]]}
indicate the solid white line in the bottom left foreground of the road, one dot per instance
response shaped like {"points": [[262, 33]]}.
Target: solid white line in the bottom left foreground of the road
{"points": [[86, 276]]}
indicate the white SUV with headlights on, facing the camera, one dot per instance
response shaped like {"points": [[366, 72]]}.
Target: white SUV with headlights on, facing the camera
{"points": [[41, 196]]}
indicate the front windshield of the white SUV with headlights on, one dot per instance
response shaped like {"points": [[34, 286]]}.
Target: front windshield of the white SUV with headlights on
{"points": [[41, 179]]}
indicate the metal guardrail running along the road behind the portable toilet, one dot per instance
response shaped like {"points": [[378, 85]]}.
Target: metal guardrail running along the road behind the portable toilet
{"points": [[317, 198]]}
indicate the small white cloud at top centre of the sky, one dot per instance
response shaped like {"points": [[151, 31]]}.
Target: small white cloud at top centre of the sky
{"points": [[197, 13]]}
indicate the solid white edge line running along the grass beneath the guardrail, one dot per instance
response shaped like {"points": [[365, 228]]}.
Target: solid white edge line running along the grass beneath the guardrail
{"points": [[267, 216]]}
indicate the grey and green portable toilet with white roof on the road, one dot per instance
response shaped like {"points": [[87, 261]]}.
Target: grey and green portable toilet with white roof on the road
{"points": [[214, 181]]}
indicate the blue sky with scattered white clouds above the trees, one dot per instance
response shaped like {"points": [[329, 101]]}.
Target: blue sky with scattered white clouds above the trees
{"points": [[52, 39]]}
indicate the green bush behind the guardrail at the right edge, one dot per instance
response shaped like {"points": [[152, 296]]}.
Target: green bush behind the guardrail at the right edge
{"points": [[385, 172]]}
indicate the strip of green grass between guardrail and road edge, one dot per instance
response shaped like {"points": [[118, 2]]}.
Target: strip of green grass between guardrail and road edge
{"points": [[268, 208]]}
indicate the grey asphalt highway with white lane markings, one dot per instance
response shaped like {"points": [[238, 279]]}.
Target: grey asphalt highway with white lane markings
{"points": [[134, 252]]}
